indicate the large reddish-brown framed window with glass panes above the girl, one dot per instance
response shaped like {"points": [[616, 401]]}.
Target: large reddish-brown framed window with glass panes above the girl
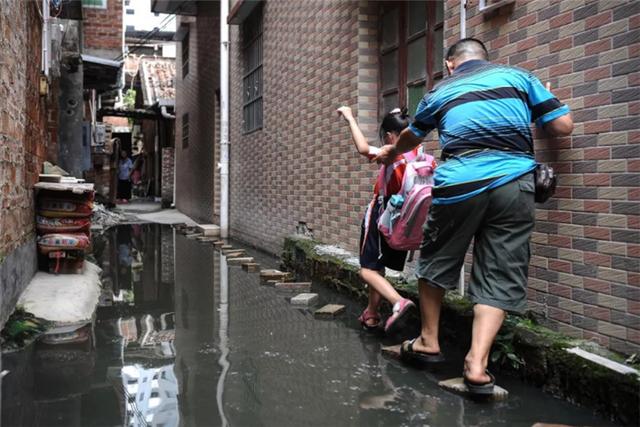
{"points": [[411, 52]]}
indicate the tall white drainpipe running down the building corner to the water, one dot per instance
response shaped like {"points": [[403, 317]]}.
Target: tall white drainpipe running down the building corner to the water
{"points": [[224, 120]]}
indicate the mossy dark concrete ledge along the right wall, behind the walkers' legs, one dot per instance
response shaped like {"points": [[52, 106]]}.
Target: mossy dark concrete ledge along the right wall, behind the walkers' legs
{"points": [[547, 363]]}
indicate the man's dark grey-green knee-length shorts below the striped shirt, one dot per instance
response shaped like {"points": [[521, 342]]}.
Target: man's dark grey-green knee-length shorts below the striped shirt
{"points": [[501, 221]]}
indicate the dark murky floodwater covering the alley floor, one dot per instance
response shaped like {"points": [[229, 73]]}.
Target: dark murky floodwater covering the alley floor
{"points": [[180, 338]]}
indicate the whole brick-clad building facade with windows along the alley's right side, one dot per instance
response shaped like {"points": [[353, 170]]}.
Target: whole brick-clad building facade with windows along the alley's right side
{"points": [[292, 161]]}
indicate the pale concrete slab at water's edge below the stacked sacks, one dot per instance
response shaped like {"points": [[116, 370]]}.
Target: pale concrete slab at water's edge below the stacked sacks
{"points": [[66, 300]]}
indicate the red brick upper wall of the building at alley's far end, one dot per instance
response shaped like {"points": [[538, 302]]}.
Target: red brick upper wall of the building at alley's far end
{"points": [[102, 30]]}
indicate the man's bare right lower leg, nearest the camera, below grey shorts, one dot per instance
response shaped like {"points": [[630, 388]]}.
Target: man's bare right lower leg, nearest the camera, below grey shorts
{"points": [[487, 321]]}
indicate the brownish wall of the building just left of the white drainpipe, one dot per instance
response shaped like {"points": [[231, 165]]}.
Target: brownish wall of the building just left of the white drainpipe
{"points": [[196, 95]]}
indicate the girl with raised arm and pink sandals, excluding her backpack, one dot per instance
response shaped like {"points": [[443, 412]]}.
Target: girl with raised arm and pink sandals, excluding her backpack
{"points": [[375, 254]]}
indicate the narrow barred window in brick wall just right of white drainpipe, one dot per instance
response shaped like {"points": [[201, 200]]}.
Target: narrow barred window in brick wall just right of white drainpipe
{"points": [[252, 76]]}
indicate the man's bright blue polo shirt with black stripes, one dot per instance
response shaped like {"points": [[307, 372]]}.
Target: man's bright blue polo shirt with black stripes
{"points": [[483, 114]]}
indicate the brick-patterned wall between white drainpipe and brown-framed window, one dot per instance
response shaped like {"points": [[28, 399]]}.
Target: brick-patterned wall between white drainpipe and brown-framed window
{"points": [[302, 165]]}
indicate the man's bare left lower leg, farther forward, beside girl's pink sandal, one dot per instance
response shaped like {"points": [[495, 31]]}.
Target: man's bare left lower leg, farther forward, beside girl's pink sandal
{"points": [[430, 303]]}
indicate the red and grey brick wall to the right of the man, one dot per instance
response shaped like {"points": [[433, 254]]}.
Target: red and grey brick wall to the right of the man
{"points": [[584, 275]]}
